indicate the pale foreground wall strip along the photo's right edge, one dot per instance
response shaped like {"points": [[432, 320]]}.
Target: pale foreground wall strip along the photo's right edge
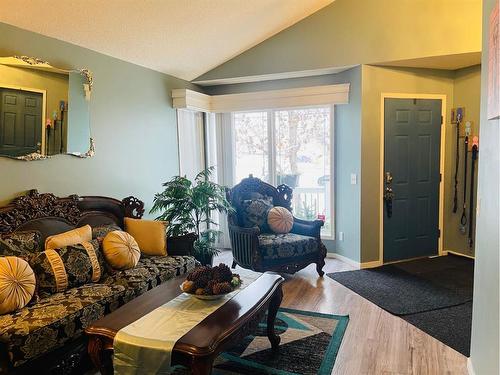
{"points": [[485, 346]]}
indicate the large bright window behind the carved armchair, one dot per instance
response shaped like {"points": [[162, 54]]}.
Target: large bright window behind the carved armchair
{"points": [[293, 147]]}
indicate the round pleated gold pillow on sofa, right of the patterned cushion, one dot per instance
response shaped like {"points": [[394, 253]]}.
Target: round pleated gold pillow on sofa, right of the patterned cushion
{"points": [[121, 250]]}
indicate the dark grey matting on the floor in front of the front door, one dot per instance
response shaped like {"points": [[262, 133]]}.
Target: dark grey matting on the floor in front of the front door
{"points": [[434, 294]]}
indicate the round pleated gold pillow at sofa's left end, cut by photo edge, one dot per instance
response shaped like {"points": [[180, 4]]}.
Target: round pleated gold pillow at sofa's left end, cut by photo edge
{"points": [[17, 284]]}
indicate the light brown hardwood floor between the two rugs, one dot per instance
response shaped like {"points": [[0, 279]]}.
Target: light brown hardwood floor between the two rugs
{"points": [[375, 342]]}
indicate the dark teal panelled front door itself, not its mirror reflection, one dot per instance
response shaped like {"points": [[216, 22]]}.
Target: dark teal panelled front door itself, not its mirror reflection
{"points": [[411, 169]]}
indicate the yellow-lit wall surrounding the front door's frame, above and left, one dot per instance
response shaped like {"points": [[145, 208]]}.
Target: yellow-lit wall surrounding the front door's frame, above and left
{"points": [[378, 80]]}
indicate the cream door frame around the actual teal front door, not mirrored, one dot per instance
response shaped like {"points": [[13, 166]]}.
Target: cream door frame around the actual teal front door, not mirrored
{"points": [[389, 95]]}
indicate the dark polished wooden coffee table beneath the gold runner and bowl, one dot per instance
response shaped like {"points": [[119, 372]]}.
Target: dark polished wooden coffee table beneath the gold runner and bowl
{"points": [[198, 348]]}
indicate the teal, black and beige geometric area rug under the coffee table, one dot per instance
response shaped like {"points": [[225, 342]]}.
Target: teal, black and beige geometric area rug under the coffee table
{"points": [[309, 345]]}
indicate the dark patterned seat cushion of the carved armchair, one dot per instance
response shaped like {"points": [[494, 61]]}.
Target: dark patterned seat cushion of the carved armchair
{"points": [[282, 246]]}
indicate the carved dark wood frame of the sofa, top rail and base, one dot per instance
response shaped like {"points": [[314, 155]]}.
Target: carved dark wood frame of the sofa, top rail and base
{"points": [[50, 214]]}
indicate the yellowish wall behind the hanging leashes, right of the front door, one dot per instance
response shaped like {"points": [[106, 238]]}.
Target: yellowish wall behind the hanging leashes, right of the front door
{"points": [[466, 93]]}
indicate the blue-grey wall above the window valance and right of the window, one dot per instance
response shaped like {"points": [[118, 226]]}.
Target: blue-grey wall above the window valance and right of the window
{"points": [[347, 150]]}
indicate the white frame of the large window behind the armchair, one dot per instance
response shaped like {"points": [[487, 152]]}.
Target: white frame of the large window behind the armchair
{"points": [[271, 131]]}
